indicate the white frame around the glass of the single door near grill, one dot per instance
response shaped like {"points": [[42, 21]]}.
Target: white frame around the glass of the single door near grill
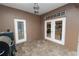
{"points": [[17, 41]]}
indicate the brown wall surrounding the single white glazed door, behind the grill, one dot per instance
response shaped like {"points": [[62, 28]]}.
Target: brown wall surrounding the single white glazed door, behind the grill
{"points": [[7, 16]]}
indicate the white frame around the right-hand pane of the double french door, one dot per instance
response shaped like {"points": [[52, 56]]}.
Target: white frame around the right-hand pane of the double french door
{"points": [[62, 41]]}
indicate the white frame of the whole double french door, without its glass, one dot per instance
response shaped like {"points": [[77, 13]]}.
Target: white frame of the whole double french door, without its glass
{"points": [[62, 42]]}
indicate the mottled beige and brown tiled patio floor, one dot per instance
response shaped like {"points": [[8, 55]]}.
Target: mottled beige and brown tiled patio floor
{"points": [[42, 48]]}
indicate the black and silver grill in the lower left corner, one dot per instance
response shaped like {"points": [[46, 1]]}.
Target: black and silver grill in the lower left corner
{"points": [[7, 44]]}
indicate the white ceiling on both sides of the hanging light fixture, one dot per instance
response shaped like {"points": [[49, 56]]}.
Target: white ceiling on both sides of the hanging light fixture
{"points": [[44, 7]]}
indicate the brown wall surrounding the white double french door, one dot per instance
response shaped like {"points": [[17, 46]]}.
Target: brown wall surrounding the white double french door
{"points": [[71, 25]]}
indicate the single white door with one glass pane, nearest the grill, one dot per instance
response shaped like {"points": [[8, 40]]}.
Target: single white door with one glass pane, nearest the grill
{"points": [[20, 30]]}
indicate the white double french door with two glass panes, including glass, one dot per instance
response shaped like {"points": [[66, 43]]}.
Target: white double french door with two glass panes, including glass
{"points": [[55, 30]]}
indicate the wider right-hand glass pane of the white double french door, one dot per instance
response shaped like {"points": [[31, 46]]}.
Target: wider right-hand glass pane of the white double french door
{"points": [[58, 30]]}
